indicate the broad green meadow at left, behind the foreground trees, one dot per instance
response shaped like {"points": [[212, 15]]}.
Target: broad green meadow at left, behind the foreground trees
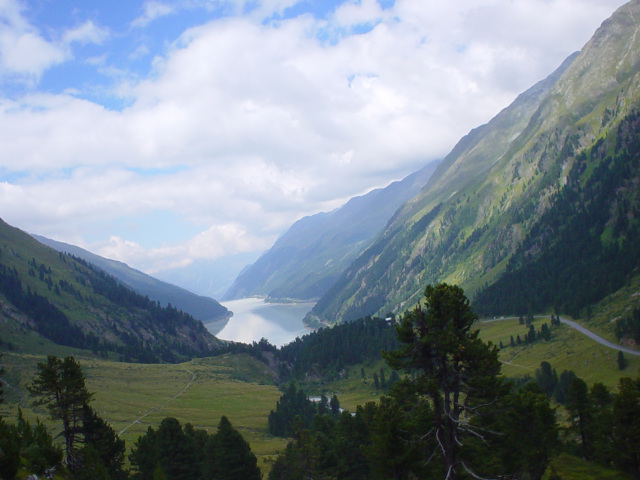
{"points": [[132, 397]]}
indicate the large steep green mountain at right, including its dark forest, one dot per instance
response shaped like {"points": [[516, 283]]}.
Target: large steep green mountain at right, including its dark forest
{"points": [[536, 210]]}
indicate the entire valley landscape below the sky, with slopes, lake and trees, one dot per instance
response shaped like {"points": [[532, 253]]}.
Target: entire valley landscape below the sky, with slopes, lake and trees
{"points": [[479, 318]]}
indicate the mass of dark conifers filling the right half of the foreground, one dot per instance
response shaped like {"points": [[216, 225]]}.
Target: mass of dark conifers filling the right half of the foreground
{"points": [[454, 416]]}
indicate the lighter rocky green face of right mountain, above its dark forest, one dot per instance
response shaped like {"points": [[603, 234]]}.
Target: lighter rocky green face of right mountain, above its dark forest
{"points": [[494, 188]]}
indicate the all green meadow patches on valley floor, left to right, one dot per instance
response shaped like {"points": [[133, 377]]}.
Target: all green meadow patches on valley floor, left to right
{"points": [[132, 397]]}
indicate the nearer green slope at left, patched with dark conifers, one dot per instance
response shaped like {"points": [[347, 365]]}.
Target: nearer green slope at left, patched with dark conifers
{"points": [[70, 302]]}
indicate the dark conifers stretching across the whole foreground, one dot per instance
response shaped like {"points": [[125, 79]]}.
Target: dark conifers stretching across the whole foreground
{"points": [[450, 414]]}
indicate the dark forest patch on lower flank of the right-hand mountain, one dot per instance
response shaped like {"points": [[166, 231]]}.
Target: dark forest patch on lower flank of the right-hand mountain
{"points": [[586, 244]]}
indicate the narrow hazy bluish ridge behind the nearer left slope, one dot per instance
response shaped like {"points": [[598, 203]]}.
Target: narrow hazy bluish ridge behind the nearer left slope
{"points": [[205, 309]]}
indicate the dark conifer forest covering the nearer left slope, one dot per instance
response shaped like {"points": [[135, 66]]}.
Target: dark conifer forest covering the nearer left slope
{"points": [[52, 323]]}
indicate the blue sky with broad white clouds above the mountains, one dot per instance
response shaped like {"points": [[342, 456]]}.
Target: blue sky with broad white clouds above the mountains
{"points": [[164, 133]]}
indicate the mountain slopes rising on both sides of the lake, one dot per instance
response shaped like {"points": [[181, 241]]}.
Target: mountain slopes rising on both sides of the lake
{"points": [[536, 211]]}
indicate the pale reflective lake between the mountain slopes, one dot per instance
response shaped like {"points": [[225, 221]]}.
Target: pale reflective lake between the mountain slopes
{"points": [[253, 319]]}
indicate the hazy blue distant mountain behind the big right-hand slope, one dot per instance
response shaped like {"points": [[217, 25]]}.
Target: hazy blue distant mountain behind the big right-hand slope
{"points": [[306, 260]]}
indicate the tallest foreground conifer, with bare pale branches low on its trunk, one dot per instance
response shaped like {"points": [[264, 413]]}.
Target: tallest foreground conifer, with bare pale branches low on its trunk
{"points": [[456, 370]]}
